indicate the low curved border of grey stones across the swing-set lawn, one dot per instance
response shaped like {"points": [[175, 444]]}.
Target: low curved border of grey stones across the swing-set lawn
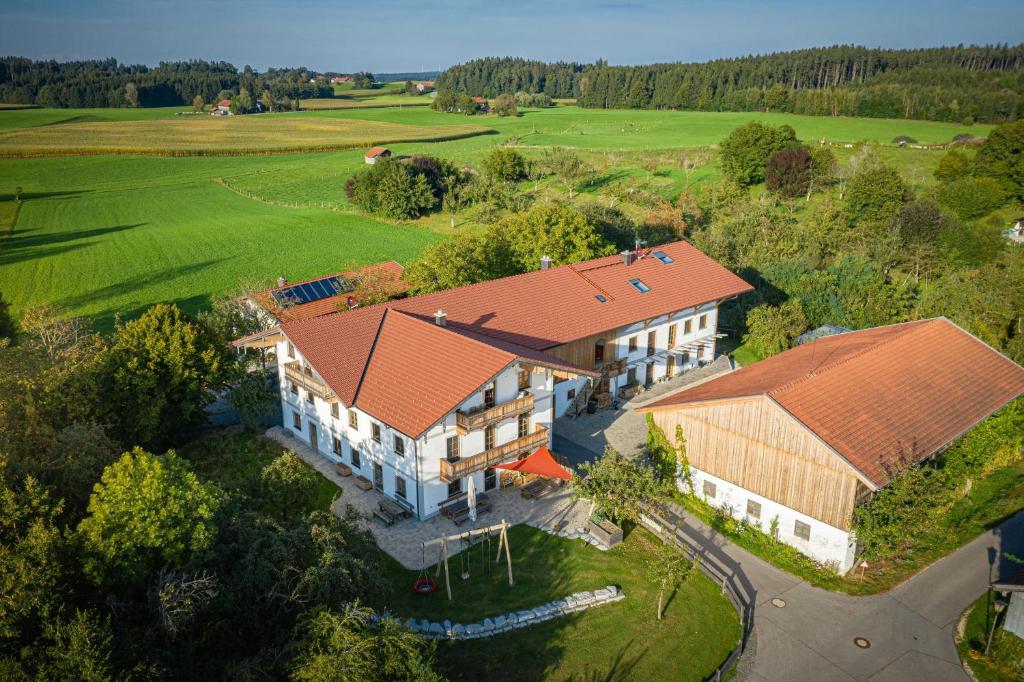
{"points": [[516, 621]]}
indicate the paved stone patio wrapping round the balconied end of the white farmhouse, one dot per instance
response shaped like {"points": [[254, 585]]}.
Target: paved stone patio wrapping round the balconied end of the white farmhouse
{"points": [[404, 540]]}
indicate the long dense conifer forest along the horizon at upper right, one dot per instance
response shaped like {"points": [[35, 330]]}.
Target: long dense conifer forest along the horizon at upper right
{"points": [[963, 83]]}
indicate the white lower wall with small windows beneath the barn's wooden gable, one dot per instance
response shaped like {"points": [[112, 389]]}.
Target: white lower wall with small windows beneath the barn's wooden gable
{"points": [[827, 544]]}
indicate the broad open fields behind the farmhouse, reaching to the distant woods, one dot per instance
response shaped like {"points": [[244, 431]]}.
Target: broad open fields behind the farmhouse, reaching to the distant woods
{"points": [[104, 235]]}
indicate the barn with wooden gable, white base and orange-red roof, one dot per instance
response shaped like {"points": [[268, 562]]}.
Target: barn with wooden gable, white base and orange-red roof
{"points": [[805, 437]]}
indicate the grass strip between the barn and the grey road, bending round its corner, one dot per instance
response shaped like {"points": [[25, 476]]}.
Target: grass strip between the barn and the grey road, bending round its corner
{"points": [[993, 500]]}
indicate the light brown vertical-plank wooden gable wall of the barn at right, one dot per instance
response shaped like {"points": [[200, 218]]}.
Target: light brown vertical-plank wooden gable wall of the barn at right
{"points": [[757, 446]]}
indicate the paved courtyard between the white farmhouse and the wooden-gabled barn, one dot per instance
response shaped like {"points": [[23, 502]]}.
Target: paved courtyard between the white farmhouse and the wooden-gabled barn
{"points": [[623, 429]]}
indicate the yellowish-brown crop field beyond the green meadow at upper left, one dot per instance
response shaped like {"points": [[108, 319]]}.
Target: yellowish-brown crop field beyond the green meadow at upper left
{"points": [[216, 135]]}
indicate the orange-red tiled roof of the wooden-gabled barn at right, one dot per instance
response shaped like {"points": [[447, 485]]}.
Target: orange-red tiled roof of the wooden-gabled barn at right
{"points": [[879, 395]]}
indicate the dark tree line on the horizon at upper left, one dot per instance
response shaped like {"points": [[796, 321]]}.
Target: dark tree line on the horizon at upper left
{"points": [[94, 83]]}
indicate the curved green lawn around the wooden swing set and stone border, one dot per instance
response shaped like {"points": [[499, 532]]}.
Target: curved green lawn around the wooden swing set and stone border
{"points": [[623, 641]]}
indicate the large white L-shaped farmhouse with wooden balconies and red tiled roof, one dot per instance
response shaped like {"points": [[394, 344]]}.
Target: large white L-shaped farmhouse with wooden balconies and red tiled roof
{"points": [[419, 394]]}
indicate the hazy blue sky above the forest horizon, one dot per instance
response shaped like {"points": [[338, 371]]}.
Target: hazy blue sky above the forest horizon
{"points": [[403, 35]]}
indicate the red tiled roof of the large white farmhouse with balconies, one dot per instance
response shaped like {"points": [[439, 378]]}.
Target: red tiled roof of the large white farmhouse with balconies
{"points": [[519, 317]]}
